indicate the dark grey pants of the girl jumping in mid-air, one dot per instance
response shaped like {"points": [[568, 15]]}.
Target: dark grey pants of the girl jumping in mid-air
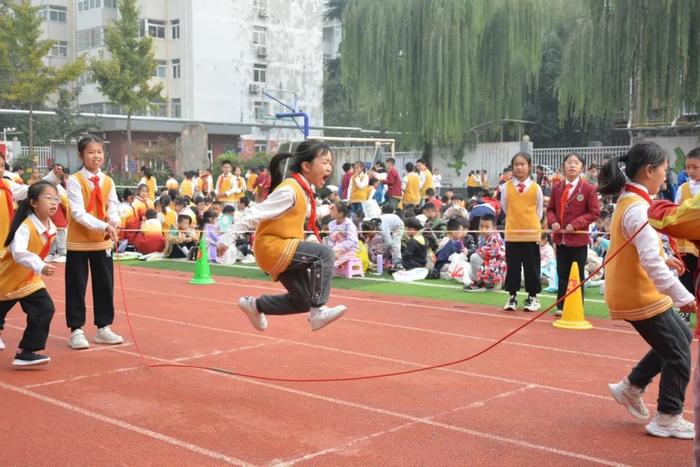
{"points": [[307, 280]]}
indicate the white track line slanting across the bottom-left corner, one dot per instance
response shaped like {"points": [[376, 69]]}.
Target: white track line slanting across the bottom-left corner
{"points": [[127, 426]]}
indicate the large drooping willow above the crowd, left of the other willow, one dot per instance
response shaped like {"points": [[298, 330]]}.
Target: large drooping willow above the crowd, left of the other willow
{"points": [[437, 68]]}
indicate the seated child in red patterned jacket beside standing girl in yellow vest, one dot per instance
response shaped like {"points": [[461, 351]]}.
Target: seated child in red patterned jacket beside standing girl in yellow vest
{"points": [[488, 263]]}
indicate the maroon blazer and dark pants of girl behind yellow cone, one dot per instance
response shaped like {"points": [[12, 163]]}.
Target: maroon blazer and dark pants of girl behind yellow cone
{"points": [[572, 203]]}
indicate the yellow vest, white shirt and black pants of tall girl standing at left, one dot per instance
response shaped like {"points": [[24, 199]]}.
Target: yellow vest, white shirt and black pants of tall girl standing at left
{"points": [[93, 206]]}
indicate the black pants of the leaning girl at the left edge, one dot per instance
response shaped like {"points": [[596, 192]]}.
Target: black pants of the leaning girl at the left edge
{"points": [[39, 309]]}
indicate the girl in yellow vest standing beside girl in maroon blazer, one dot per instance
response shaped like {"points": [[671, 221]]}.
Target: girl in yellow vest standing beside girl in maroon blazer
{"points": [[522, 201]]}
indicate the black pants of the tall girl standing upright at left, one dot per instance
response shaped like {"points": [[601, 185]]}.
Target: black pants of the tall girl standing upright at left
{"points": [[102, 271]]}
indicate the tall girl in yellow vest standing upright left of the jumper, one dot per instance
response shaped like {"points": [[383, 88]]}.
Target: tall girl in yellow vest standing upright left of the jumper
{"points": [[92, 233]]}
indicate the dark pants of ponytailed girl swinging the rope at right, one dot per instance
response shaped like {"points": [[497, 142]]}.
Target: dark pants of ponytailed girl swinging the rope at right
{"points": [[669, 338]]}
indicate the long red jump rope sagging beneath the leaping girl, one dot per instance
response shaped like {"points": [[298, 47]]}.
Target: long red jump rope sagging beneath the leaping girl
{"points": [[420, 369]]}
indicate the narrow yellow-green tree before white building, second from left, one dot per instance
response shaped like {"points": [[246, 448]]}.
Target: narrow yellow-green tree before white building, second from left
{"points": [[124, 77]]}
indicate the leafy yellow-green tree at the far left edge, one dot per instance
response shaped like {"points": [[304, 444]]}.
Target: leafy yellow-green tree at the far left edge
{"points": [[28, 81]]}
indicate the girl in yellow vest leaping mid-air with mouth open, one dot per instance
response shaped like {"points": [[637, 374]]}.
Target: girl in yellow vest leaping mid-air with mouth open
{"points": [[304, 268]]}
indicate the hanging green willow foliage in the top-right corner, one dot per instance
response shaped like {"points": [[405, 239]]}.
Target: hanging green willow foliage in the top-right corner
{"points": [[641, 57]]}
